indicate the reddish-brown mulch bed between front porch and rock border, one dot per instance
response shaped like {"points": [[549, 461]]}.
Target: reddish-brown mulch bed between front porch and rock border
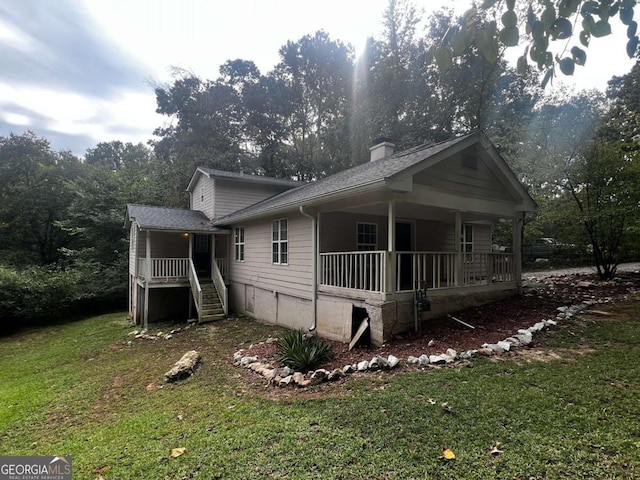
{"points": [[544, 292]]}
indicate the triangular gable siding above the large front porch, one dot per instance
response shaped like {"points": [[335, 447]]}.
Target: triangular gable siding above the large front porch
{"points": [[452, 176]]}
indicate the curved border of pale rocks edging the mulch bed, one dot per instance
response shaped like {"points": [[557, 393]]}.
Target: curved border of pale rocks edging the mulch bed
{"points": [[284, 376]]}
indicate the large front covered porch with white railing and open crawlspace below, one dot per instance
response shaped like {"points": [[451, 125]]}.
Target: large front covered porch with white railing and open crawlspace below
{"points": [[374, 256]]}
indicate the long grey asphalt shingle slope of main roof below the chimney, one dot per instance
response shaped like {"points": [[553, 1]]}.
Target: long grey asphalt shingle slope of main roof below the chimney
{"points": [[366, 174]]}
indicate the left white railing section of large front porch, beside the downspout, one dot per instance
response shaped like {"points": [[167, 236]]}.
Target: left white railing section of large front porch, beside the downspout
{"points": [[355, 270]]}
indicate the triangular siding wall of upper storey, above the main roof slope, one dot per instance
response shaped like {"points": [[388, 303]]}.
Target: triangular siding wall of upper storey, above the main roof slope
{"points": [[232, 196]]}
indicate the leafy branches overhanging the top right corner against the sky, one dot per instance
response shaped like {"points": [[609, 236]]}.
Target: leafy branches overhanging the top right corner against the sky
{"points": [[541, 24]]}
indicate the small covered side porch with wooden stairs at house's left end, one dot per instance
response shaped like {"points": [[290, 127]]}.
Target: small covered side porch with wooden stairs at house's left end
{"points": [[177, 272]]}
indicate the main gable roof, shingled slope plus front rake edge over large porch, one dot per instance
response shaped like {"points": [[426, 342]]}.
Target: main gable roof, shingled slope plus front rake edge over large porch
{"points": [[377, 174]]}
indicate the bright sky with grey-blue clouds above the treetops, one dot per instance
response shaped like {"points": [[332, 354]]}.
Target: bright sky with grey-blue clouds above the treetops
{"points": [[80, 72]]}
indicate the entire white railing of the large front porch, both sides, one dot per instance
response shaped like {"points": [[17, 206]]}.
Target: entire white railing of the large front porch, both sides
{"points": [[436, 270]]}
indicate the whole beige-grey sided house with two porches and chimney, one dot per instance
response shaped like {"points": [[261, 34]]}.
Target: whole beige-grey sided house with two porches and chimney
{"points": [[323, 256]]}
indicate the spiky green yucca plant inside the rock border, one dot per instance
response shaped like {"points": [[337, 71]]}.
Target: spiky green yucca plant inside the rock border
{"points": [[302, 353]]}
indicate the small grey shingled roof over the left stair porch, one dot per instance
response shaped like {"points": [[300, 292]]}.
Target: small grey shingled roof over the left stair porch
{"points": [[171, 219]]}
